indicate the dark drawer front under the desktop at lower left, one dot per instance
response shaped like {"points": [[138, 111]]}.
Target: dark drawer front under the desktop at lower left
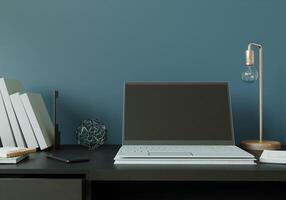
{"points": [[43, 189]]}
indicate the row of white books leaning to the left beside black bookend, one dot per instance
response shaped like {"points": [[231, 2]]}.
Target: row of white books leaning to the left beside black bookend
{"points": [[24, 119]]}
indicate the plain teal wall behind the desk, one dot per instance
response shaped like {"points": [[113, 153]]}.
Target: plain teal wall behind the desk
{"points": [[87, 49]]}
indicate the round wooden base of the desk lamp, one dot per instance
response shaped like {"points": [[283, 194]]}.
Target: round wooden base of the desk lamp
{"points": [[260, 145]]}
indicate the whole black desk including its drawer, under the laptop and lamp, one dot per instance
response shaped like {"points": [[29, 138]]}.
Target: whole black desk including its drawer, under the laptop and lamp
{"points": [[57, 180]]}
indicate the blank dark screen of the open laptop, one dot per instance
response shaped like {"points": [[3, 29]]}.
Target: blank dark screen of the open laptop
{"points": [[192, 113]]}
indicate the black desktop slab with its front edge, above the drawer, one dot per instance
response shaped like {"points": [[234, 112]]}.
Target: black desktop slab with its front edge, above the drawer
{"points": [[100, 167]]}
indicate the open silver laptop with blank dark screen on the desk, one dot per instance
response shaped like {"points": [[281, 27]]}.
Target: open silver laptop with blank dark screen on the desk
{"points": [[178, 123]]}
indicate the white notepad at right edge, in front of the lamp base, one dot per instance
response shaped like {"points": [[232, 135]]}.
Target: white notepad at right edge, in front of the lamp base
{"points": [[273, 156]]}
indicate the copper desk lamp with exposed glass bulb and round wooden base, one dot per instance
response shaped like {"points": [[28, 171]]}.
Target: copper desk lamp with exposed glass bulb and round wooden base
{"points": [[250, 75]]}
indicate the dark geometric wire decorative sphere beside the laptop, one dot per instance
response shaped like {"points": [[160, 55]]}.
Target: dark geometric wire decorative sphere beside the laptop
{"points": [[91, 133]]}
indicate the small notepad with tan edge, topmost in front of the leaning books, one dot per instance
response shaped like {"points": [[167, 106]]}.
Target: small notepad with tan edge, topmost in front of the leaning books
{"points": [[9, 152]]}
